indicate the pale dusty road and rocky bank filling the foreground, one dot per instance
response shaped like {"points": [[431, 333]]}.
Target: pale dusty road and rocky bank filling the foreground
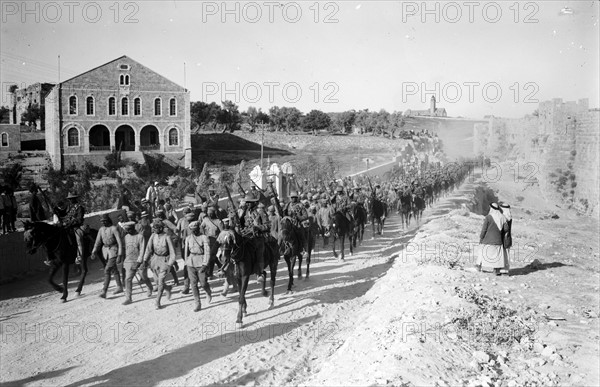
{"points": [[406, 309]]}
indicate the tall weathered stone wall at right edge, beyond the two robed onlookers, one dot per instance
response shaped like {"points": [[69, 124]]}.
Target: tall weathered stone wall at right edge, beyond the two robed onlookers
{"points": [[560, 142]]}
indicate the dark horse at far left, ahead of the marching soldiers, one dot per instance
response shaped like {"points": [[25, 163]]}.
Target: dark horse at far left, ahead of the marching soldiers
{"points": [[61, 250]]}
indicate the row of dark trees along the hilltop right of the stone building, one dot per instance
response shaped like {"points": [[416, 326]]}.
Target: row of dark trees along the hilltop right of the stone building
{"points": [[227, 118]]}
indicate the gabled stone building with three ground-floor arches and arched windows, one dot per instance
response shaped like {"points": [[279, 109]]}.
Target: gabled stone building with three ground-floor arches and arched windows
{"points": [[120, 105]]}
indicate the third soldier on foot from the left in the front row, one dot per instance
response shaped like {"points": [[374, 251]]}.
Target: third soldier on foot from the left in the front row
{"points": [[160, 255]]}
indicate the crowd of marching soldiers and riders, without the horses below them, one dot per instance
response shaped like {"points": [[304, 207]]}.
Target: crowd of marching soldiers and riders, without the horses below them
{"points": [[204, 235]]}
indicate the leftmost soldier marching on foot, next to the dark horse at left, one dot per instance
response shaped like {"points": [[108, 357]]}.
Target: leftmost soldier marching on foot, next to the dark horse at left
{"points": [[109, 240]]}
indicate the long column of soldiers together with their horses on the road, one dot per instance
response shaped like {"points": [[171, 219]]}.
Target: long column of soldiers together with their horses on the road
{"points": [[153, 236]]}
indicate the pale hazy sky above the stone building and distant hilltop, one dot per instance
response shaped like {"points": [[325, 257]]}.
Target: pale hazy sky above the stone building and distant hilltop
{"points": [[477, 58]]}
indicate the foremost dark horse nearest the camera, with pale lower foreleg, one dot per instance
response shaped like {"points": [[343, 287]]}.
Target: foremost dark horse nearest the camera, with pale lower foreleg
{"points": [[243, 256]]}
